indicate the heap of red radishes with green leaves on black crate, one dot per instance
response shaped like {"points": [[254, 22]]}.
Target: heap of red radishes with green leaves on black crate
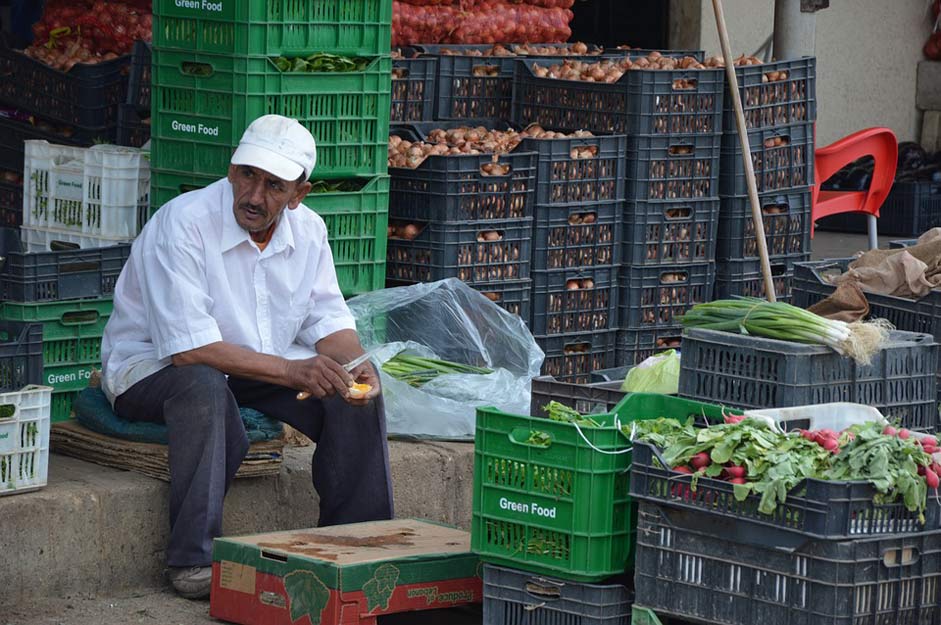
{"points": [[761, 461]]}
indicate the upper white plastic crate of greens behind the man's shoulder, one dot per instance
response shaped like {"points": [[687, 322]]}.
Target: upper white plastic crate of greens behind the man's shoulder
{"points": [[101, 191]]}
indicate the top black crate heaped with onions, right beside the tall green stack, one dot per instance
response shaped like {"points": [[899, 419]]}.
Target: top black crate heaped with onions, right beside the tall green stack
{"points": [[454, 188]]}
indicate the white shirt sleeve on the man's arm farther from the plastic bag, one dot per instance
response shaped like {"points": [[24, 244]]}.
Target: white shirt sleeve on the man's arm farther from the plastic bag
{"points": [[177, 298]]}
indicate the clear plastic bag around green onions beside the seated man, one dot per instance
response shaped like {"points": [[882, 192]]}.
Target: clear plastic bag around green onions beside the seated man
{"points": [[450, 321]]}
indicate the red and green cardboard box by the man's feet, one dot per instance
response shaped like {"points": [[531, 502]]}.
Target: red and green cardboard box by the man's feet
{"points": [[344, 574]]}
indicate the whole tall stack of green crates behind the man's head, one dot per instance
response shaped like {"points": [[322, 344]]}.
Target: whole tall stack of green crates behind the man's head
{"points": [[213, 73]]}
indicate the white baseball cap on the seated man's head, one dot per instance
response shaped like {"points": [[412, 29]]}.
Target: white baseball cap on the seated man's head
{"points": [[279, 145]]}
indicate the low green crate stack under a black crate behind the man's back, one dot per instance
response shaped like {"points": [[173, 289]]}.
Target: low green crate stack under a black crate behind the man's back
{"points": [[72, 331]]}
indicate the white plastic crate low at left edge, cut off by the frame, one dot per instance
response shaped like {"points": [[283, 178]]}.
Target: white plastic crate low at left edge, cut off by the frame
{"points": [[24, 439]]}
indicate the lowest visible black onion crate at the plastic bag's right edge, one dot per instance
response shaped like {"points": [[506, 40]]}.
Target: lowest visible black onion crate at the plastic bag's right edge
{"points": [[572, 357]]}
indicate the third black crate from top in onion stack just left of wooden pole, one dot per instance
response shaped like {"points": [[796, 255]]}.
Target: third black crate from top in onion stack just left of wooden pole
{"points": [[666, 233]]}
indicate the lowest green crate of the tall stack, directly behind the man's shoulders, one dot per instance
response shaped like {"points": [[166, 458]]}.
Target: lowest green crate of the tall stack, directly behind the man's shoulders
{"points": [[356, 224]]}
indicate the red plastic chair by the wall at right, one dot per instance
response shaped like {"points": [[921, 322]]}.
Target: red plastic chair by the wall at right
{"points": [[881, 144]]}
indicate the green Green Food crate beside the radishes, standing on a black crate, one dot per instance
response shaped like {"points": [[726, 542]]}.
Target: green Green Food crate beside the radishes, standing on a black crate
{"points": [[562, 510]]}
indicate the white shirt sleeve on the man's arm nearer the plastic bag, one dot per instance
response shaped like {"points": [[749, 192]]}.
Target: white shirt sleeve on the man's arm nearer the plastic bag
{"points": [[328, 310]]}
